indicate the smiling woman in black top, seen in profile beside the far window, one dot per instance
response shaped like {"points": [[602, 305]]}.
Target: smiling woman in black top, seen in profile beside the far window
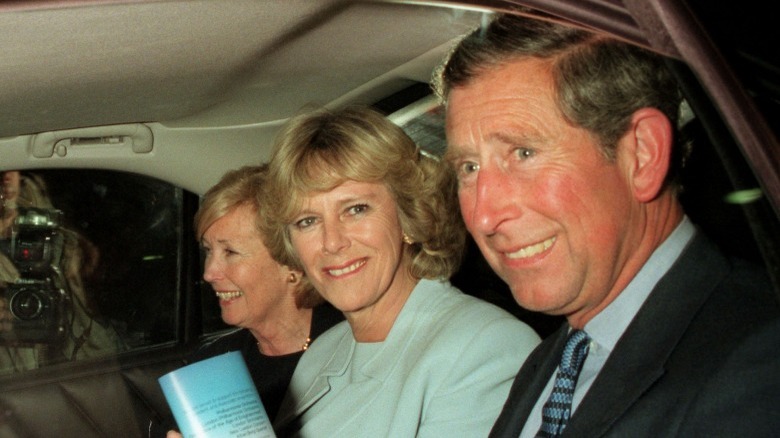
{"points": [[277, 320]]}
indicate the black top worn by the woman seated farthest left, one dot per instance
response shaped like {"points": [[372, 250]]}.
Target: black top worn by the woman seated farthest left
{"points": [[271, 374]]}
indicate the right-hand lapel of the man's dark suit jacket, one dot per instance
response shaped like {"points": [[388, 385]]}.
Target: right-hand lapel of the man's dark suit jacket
{"points": [[640, 355]]}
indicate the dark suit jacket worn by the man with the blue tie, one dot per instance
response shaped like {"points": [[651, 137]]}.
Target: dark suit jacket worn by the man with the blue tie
{"points": [[699, 359]]}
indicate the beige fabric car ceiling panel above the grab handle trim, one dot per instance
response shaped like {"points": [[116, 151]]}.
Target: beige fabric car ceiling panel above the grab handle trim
{"points": [[203, 63]]}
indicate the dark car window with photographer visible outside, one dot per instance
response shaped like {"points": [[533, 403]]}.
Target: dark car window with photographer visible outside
{"points": [[88, 267]]}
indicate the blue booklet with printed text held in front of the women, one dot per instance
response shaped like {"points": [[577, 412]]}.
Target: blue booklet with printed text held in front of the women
{"points": [[216, 398]]}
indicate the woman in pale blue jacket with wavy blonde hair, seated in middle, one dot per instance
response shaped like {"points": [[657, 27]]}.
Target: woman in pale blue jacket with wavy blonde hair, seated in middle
{"points": [[375, 226]]}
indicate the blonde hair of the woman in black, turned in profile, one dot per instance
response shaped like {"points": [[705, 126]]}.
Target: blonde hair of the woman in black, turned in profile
{"points": [[238, 188]]}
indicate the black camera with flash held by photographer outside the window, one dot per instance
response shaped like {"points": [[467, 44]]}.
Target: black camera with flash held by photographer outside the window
{"points": [[38, 299]]}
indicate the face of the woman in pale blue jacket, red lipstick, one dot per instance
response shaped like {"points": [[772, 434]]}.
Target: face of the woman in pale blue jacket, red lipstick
{"points": [[350, 243]]}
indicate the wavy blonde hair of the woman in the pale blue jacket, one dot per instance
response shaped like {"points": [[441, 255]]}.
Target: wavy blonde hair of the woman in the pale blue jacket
{"points": [[319, 150]]}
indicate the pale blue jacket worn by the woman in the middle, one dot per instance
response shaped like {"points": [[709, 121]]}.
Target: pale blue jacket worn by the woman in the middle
{"points": [[444, 370]]}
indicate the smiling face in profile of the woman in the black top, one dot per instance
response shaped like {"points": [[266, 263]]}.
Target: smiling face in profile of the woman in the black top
{"points": [[250, 285]]}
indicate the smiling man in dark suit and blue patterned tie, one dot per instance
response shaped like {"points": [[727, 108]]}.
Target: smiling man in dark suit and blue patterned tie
{"points": [[566, 148]]}
